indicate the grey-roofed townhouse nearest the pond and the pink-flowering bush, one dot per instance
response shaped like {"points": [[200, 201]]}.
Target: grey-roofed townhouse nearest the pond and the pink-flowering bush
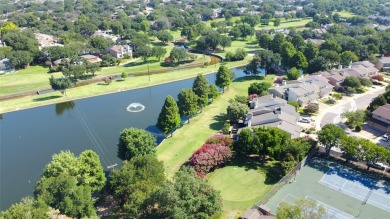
{"points": [[273, 111]]}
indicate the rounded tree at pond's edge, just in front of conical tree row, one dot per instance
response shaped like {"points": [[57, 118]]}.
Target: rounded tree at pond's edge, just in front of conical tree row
{"points": [[135, 142]]}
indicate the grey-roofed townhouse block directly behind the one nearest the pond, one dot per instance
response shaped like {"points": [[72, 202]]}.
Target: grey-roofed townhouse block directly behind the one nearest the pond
{"points": [[304, 91]]}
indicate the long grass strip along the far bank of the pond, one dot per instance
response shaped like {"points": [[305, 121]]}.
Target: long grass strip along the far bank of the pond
{"points": [[115, 86]]}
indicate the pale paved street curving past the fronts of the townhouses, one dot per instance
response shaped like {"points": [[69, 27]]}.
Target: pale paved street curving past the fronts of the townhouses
{"points": [[359, 101]]}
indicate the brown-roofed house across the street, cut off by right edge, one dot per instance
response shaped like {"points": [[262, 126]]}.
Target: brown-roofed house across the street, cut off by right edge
{"points": [[381, 118]]}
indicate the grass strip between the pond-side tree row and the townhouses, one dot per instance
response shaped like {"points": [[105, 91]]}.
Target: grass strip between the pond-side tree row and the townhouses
{"points": [[175, 151]]}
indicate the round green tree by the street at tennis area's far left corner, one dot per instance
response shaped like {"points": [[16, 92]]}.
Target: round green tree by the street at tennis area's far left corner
{"points": [[330, 136]]}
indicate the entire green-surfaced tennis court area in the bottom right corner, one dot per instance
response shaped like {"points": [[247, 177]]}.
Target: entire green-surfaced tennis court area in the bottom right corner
{"points": [[340, 190]]}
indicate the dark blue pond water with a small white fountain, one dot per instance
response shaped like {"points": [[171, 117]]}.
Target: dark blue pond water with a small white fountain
{"points": [[29, 138]]}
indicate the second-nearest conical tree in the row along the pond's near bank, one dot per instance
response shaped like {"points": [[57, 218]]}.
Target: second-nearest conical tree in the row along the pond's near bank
{"points": [[187, 103]]}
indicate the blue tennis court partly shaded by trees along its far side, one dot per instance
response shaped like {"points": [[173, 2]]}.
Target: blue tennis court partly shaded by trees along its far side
{"points": [[358, 186]]}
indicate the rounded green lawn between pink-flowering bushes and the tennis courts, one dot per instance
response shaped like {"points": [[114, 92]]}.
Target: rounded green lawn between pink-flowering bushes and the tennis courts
{"points": [[242, 183]]}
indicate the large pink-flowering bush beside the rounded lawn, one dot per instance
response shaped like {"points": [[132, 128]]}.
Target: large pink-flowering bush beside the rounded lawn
{"points": [[208, 157]]}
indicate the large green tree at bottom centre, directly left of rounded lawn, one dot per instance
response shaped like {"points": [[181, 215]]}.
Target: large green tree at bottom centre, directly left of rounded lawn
{"points": [[186, 197]]}
